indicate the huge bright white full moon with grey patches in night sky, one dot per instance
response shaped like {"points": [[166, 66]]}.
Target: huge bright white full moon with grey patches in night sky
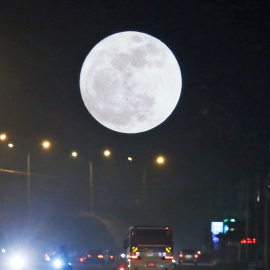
{"points": [[130, 82]]}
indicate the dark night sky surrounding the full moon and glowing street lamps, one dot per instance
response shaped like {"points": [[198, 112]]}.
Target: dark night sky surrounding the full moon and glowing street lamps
{"points": [[215, 139]]}
